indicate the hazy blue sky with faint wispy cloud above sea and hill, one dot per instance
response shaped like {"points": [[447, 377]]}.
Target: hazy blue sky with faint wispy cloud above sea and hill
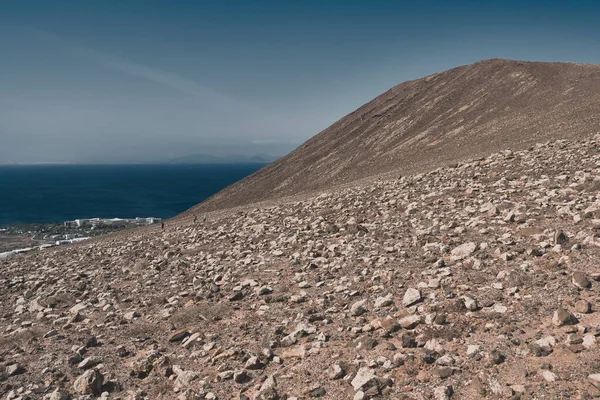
{"points": [[145, 81]]}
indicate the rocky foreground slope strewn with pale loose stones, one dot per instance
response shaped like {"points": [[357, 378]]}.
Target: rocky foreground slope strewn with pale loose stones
{"points": [[477, 280]]}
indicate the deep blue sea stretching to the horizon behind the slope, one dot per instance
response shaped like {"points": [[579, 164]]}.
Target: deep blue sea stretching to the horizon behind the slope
{"points": [[58, 193]]}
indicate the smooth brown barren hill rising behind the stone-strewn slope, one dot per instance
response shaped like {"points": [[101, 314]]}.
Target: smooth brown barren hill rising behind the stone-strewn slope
{"points": [[468, 111]]}
